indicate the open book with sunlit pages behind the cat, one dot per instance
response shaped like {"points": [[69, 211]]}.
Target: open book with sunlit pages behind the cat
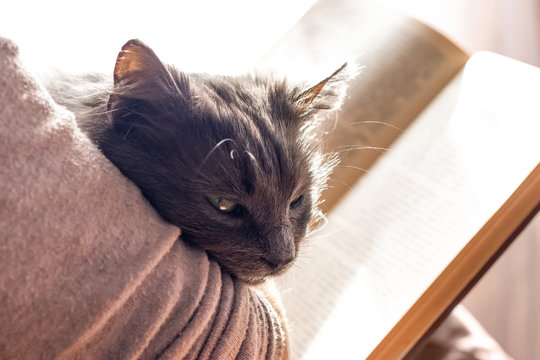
{"points": [[439, 172]]}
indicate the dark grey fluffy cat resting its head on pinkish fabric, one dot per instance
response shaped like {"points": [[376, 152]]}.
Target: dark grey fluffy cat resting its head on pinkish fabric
{"points": [[236, 162]]}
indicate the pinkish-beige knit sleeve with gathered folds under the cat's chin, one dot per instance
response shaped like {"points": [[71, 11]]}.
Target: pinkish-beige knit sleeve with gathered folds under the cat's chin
{"points": [[87, 267]]}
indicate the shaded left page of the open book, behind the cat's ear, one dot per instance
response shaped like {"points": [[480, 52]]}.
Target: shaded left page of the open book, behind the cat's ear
{"points": [[403, 65]]}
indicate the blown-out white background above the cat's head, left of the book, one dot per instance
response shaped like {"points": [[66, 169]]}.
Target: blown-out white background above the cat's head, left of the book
{"points": [[205, 35]]}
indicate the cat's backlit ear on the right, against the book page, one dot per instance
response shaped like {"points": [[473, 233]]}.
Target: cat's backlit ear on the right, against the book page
{"points": [[328, 93]]}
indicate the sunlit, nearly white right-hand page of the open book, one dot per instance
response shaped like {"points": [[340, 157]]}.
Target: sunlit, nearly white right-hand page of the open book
{"points": [[404, 222]]}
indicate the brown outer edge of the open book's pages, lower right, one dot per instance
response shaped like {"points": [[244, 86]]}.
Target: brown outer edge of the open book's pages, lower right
{"points": [[463, 272]]}
